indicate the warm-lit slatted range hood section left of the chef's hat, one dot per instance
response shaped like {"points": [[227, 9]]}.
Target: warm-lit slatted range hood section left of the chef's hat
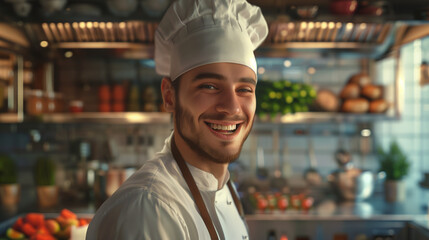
{"points": [[125, 34]]}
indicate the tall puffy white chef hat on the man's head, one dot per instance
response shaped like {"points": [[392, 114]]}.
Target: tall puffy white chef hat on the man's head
{"points": [[198, 32]]}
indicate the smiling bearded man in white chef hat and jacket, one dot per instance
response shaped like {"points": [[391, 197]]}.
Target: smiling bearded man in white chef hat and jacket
{"points": [[204, 48]]}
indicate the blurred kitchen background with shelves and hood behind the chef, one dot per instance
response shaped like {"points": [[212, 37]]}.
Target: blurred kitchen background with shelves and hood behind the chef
{"points": [[78, 86]]}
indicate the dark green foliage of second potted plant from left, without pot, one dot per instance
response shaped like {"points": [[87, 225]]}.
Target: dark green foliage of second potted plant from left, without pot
{"points": [[44, 172]]}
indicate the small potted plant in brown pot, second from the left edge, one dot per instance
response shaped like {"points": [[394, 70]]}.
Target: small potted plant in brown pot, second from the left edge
{"points": [[45, 174]]}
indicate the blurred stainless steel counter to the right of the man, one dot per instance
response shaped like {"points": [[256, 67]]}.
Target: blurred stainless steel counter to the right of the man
{"points": [[346, 220]]}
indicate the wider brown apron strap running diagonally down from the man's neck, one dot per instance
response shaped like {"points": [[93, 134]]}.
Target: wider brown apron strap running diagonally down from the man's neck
{"points": [[194, 190]]}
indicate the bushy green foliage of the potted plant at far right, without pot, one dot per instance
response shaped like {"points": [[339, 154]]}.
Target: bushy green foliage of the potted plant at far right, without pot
{"points": [[393, 162]]}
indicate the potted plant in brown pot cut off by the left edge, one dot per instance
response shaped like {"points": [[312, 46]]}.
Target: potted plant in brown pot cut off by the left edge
{"points": [[9, 187]]}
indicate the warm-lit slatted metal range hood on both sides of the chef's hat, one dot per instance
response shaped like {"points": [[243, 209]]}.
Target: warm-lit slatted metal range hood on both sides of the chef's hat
{"points": [[284, 36]]}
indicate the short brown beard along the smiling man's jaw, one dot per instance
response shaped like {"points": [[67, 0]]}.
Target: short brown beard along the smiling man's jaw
{"points": [[204, 150]]}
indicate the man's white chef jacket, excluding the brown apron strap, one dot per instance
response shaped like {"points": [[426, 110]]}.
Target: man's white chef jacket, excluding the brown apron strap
{"points": [[155, 203]]}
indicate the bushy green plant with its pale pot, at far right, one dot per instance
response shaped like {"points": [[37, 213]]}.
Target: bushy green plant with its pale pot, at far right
{"points": [[395, 164]]}
